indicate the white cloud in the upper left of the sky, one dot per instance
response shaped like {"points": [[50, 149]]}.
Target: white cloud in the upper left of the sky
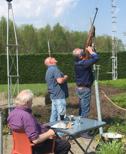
{"points": [[37, 8]]}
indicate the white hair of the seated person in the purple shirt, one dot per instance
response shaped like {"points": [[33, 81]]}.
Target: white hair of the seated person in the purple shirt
{"points": [[23, 97]]}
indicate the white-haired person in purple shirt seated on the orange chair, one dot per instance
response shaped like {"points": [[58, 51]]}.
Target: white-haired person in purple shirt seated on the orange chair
{"points": [[21, 118]]}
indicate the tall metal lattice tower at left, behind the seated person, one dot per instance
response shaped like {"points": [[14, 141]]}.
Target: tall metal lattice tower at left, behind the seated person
{"points": [[12, 60]]}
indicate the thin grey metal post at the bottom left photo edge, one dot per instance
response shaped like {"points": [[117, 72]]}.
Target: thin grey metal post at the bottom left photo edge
{"points": [[1, 134]]}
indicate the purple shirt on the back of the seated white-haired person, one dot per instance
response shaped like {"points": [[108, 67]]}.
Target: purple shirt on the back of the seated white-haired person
{"points": [[21, 119]]}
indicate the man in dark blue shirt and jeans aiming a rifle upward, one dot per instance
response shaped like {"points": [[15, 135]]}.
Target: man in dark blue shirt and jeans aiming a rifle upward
{"points": [[84, 77]]}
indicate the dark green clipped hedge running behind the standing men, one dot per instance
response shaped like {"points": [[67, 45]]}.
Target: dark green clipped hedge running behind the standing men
{"points": [[32, 68]]}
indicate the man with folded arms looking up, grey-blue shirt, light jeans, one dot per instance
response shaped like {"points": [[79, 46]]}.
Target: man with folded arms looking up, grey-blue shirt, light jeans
{"points": [[57, 88]]}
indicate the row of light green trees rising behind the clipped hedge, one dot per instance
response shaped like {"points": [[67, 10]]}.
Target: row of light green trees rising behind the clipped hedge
{"points": [[34, 40]]}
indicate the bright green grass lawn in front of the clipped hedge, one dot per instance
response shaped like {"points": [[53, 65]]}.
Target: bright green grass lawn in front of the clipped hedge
{"points": [[41, 89]]}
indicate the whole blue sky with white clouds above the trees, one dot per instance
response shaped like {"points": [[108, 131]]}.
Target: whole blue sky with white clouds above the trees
{"points": [[73, 14]]}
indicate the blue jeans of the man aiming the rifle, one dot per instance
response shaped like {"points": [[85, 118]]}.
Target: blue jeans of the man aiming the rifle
{"points": [[84, 94]]}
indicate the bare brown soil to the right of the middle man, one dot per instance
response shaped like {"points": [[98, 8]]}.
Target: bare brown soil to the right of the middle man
{"points": [[107, 109]]}
